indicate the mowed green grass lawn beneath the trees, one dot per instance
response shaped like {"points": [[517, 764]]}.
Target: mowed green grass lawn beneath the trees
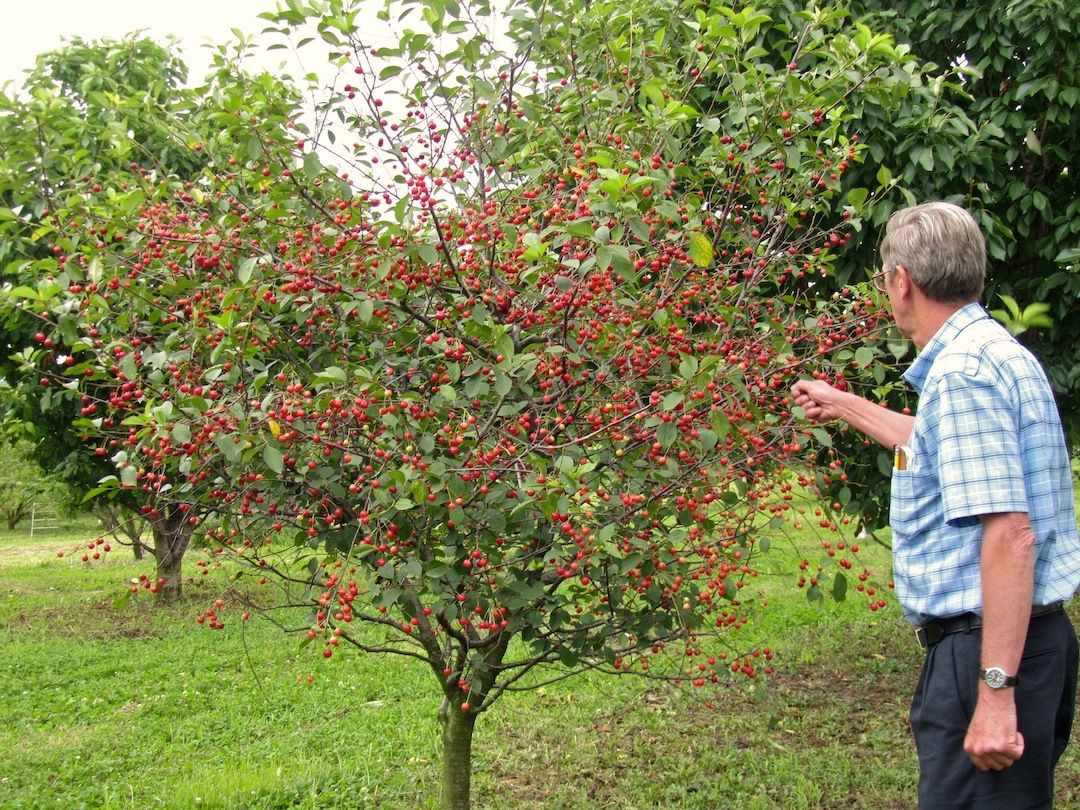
{"points": [[114, 705]]}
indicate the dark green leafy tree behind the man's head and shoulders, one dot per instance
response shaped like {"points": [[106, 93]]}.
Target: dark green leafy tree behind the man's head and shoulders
{"points": [[995, 129]]}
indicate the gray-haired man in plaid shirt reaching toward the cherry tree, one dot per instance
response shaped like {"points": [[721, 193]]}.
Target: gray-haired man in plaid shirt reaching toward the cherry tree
{"points": [[985, 546]]}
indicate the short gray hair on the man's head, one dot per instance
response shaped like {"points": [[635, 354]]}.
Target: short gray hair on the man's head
{"points": [[941, 247]]}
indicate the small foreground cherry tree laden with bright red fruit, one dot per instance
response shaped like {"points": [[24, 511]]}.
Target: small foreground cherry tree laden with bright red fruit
{"points": [[491, 369]]}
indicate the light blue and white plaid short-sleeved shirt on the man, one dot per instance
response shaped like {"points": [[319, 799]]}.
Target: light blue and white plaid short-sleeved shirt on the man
{"points": [[988, 439]]}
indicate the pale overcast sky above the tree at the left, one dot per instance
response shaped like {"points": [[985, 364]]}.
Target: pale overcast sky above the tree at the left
{"points": [[35, 26]]}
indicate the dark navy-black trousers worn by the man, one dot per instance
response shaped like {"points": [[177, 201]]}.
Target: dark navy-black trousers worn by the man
{"points": [[946, 701]]}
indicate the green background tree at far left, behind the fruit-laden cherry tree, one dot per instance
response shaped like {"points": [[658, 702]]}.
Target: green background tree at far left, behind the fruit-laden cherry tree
{"points": [[109, 118]]}
